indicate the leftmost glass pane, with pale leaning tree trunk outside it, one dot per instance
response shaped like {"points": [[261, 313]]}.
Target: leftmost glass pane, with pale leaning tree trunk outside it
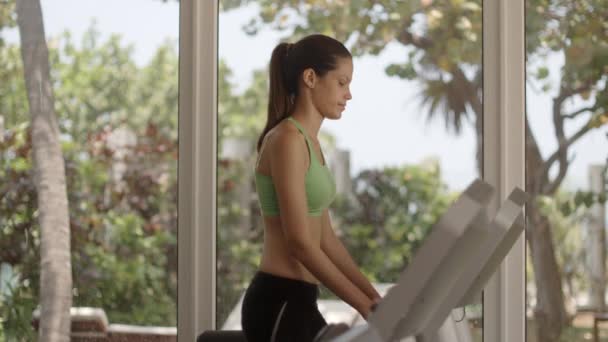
{"points": [[114, 86]]}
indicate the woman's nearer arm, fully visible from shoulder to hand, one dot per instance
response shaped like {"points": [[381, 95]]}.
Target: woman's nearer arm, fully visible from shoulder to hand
{"points": [[288, 170]]}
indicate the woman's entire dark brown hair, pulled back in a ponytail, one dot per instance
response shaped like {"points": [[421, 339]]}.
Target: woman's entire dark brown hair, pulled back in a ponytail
{"points": [[287, 63]]}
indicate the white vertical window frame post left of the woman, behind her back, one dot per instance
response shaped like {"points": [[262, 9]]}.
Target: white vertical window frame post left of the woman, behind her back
{"points": [[197, 167]]}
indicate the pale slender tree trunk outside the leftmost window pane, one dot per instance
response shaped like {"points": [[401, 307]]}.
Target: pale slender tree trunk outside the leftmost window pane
{"points": [[49, 171]]}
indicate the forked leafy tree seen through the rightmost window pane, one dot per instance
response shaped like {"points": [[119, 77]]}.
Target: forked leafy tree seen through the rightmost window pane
{"points": [[565, 27]]}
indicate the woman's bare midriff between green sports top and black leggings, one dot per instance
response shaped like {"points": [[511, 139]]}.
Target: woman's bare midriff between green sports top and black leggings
{"points": [[276, 258]]}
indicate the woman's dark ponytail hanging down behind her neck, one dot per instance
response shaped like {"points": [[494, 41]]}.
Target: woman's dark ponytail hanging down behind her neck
{"points": [[280, 104]]}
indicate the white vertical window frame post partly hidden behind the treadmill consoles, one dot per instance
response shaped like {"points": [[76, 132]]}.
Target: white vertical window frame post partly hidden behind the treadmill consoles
{"points": [[504, 156]]}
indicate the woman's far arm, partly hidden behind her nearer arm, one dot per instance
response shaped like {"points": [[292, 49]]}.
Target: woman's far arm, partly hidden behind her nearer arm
{"points": [[338, 254]]}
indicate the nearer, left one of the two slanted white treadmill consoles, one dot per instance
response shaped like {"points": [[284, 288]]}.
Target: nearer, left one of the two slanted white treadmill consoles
{"points": [[422, 285]]}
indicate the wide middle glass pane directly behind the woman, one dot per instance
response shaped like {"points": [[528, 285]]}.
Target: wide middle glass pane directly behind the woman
{"points": [[405, 147]]}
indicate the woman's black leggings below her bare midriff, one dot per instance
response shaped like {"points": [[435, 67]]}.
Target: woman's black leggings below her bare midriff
{"points": [[278, 309]]}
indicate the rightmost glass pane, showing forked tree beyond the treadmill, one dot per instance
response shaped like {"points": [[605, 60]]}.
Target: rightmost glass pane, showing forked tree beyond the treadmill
{"points": [[566, 157]]}
